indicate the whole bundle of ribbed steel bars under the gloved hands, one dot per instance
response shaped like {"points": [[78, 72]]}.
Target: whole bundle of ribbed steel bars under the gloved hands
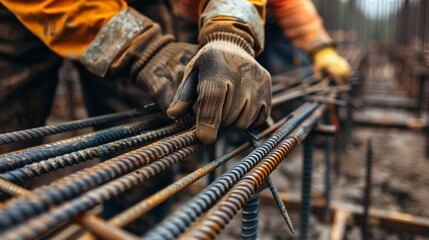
{"points": [[140, 145]]}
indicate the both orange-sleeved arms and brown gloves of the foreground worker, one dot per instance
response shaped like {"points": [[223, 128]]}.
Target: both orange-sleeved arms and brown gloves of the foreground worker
{"points": [[111, 38]]}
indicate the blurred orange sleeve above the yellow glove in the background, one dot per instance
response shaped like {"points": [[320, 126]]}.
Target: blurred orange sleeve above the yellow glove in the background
{"points": [[300, 22]]}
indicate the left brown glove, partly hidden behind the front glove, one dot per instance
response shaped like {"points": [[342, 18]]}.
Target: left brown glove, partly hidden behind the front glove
{"points": [[160, 64]]}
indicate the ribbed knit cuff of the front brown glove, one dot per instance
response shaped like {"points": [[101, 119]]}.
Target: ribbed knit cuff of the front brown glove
{"points": [[230, 38]]}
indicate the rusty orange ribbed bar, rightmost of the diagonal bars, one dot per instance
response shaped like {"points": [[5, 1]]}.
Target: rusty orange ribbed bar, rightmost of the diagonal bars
{"points": [[211, 224]]}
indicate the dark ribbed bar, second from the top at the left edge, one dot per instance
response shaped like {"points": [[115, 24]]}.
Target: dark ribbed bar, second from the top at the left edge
{"points": [[20, 158]]}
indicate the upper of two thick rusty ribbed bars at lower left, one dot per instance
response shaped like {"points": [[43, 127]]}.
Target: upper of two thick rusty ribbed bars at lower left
{"points": [[20, 209]]}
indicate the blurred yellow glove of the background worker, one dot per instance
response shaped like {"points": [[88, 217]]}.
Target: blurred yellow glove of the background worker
{"points": [[327, 60]]}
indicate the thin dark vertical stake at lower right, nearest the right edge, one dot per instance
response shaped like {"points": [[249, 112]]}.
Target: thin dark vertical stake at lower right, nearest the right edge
{"points": [[367, 193]]}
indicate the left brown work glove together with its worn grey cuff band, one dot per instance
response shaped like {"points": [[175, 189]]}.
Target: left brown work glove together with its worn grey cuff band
{"points": [[154, 60]]}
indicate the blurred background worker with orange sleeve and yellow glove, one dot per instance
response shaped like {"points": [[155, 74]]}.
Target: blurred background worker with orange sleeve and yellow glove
{"points": [[299, 25]]}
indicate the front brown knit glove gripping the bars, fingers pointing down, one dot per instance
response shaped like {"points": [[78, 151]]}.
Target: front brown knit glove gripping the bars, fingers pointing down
{"points": [[227, 85]]}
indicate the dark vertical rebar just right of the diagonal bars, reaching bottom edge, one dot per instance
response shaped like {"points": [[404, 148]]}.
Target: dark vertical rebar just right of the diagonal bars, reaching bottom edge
{"points": [[306, 187]]}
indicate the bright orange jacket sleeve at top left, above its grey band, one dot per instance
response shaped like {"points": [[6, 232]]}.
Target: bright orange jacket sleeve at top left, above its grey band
{"points": [[65, 26]]}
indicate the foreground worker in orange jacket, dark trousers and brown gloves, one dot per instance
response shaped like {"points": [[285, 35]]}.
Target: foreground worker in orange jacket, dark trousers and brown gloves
{"points": [[116, 39]]}
